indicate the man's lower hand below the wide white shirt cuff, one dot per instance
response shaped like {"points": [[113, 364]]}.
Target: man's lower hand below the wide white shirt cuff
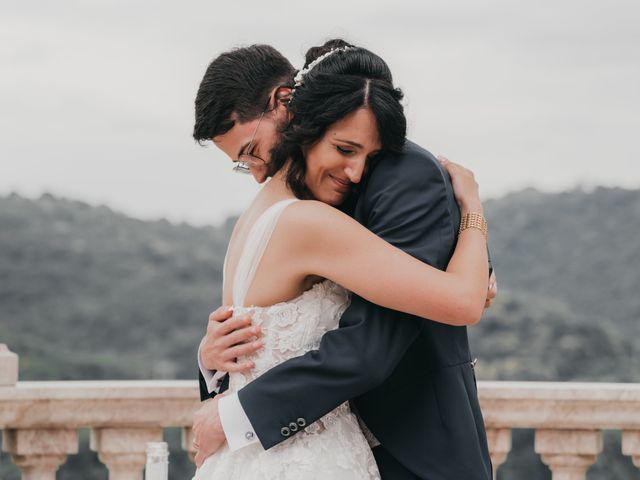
{"points": [[208, 434]]}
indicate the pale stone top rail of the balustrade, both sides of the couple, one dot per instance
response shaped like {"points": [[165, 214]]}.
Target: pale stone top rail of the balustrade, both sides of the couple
{"points": [[140, 403]]}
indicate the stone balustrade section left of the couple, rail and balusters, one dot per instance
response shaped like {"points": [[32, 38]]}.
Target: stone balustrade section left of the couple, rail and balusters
{"points": [[40, 421]]}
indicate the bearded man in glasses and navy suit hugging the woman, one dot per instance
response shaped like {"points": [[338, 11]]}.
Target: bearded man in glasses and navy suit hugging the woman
{"points": [[410, 381]]}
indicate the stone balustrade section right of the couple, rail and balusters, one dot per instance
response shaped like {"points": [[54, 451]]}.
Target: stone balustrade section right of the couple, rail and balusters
{"points": [[568, 419]]}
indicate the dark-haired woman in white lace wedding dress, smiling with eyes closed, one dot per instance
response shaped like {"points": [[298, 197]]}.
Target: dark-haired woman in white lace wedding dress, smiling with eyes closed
{"points": [[293, 257]]}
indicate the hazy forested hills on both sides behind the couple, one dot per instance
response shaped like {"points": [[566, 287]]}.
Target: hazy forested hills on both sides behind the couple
{"points": [[86, 292]]}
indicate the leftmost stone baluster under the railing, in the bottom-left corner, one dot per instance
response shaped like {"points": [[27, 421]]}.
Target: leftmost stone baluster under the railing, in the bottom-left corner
{"points": [[39, 452]]}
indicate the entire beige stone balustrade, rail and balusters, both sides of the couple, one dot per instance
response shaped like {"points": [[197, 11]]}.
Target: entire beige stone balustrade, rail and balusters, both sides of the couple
{"points": [[40, 420]]}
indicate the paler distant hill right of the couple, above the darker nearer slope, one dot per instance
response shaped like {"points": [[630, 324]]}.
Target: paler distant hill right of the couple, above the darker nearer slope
{"points": [[578, 247]]}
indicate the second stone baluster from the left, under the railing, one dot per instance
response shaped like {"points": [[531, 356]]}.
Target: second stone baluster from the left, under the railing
{"points": [[123, 450]]}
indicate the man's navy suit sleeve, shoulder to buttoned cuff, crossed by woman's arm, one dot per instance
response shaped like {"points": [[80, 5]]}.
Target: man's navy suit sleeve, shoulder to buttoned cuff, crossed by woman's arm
{"points": [[406, 202]]}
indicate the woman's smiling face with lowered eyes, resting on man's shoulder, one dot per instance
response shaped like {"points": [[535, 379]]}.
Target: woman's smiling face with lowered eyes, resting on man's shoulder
{"points": [[337, 161]]}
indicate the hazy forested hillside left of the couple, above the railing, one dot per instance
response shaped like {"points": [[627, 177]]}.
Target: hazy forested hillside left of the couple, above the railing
{"points": [[89, 293]]}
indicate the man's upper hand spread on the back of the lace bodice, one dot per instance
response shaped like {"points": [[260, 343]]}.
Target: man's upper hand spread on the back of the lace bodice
{"points": [[229, 337]]}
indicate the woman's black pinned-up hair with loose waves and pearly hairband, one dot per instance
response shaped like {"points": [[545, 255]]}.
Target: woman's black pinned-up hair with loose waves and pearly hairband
{"points": [[340, 84]]}
